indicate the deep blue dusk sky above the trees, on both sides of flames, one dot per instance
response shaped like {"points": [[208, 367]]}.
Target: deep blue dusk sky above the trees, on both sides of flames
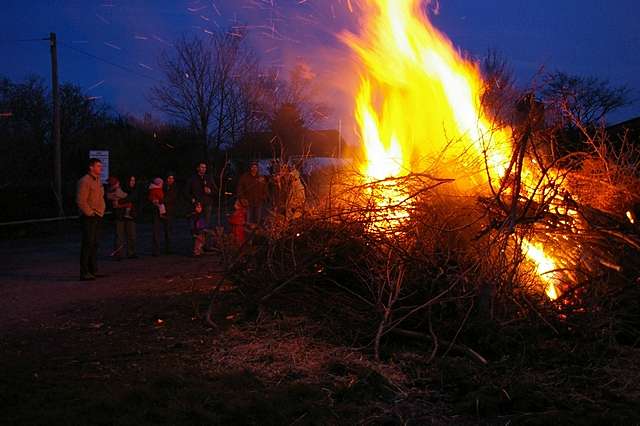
{"points": [[587, 37]]}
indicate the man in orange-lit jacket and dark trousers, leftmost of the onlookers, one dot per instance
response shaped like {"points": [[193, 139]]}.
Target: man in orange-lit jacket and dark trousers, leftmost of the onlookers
{"points": [[90, 201]]}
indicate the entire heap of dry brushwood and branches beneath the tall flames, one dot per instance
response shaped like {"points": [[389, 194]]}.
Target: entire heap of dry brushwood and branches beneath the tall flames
{"points": [[444, 268]]}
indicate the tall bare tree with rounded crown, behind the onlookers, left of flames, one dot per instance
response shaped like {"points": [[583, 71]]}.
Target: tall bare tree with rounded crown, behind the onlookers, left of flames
{"points": [[215, 86]]}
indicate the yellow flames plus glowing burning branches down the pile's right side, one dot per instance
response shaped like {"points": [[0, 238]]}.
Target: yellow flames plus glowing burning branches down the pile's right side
{"points": [[418, 107]]}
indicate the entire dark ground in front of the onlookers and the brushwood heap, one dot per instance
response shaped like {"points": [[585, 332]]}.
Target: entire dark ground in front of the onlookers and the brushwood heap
{"points": [[132, 348]]}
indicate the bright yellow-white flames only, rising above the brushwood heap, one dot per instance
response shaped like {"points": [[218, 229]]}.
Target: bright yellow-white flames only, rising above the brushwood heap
{"points": [[418, 107]]}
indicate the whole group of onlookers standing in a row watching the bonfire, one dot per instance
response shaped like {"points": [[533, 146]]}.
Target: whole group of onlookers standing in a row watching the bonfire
{"points": [[282, 194]]}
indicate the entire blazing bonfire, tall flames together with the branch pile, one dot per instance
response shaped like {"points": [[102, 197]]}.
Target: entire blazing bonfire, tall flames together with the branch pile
{"points": [[451, 213]]}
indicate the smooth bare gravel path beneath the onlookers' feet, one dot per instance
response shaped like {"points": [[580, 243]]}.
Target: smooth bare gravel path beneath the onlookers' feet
{"points": [[39, 276]]}
